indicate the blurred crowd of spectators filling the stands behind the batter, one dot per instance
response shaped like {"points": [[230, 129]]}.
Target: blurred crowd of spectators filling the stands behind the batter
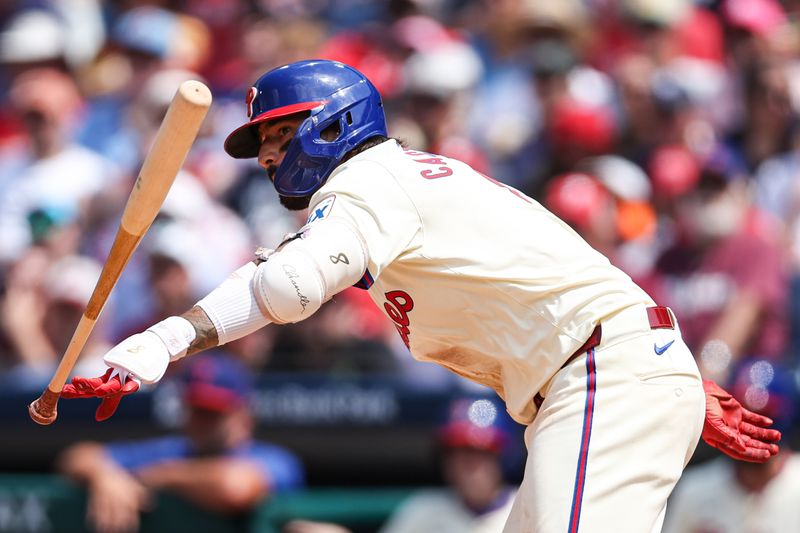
{"points": [[665, 132]]}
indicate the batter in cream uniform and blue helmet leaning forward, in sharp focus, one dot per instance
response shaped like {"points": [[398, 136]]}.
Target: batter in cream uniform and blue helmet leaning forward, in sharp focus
{"points": [[476, 277]]}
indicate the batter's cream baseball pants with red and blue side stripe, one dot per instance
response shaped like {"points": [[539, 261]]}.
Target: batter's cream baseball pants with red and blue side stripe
{"points": [[613, 435]]}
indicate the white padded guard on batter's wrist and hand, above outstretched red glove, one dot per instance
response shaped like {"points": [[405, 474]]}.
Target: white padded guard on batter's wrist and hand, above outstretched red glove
{"points": [[146, 355]]}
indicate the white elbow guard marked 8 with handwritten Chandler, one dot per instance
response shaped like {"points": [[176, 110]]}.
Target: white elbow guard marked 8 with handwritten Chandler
{"points": [[329, 256]]}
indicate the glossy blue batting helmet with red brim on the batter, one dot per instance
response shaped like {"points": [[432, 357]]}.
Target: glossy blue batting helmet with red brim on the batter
{"points": [[331, 92]]}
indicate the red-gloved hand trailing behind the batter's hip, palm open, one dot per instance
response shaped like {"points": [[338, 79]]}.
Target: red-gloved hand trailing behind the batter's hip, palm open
{"points": [[736, 431]]}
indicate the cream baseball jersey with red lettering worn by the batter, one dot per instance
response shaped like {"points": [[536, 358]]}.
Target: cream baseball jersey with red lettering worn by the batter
{"points": [[476, 276]]}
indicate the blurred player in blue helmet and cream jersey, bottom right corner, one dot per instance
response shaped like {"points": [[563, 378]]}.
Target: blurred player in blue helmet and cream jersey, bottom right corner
{"points": [[726, 496]]}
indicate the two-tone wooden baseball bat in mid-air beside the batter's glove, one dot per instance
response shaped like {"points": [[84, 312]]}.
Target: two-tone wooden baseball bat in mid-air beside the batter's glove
{"points": [[172, 143]]}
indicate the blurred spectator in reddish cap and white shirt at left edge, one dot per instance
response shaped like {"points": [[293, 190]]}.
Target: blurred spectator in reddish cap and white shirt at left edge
{"points": [[47, 172]]}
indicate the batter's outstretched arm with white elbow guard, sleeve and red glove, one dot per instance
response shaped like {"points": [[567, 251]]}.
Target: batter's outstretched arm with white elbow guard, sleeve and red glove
{"points": [[281, 287]]}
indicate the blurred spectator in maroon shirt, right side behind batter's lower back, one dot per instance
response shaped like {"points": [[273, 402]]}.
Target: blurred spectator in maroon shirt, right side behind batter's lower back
{"points": [[734, 304]]}
